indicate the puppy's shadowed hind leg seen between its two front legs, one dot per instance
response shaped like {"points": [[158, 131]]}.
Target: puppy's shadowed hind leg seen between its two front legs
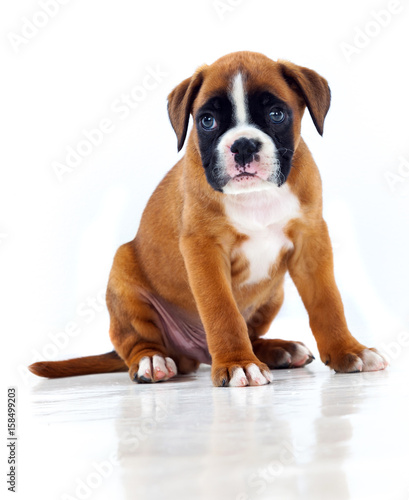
{"points": [[275, 353]]}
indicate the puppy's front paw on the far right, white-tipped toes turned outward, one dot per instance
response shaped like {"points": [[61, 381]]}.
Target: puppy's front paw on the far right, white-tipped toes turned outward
{"points": [[356, 360]]}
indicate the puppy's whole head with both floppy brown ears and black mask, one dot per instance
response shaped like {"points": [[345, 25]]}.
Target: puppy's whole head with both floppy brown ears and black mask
{"points": [[247, 112]]}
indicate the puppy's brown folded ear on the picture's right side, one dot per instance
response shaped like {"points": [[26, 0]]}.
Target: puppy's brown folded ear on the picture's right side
{"points": [[313, 89]]}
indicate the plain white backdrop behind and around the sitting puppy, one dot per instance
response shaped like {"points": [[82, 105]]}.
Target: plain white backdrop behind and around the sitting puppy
{"points": [[58, 238]]}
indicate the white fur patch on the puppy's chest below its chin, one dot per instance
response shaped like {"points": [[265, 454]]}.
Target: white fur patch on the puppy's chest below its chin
{"points": [[262, 216]]}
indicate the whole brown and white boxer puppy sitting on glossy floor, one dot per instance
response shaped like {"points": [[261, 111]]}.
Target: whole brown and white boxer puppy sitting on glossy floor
{"points": [[203, 279]]}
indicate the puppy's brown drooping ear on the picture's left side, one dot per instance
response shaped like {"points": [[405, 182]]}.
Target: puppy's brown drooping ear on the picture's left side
{"points": [[180, 103]]}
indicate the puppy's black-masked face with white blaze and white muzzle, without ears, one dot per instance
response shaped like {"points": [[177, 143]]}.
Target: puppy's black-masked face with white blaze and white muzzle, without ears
{"points": [[246, 139]]}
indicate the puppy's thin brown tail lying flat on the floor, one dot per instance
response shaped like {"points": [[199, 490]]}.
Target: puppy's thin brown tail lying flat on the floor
{"points": [[103, 363]]}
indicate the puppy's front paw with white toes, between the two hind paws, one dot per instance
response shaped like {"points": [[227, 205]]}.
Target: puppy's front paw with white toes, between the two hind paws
{"points": [[240, 374]]}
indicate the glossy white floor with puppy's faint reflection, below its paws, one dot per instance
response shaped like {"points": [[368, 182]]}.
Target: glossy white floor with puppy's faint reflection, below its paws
{"points": [[312, 434]]}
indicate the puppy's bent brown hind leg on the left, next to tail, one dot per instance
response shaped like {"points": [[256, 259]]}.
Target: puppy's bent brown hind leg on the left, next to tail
{"points": [[135, 327]]}
